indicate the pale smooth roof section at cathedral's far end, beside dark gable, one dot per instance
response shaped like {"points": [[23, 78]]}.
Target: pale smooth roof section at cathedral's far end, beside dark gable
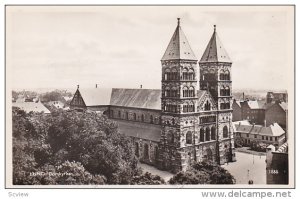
{"points": [[95, 96]]}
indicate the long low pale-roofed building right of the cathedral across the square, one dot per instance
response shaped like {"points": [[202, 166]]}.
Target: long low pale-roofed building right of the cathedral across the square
{"points": [[249, 133]]}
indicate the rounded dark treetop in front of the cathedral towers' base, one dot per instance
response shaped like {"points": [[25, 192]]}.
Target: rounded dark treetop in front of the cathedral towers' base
{"points": [[203, 173]]}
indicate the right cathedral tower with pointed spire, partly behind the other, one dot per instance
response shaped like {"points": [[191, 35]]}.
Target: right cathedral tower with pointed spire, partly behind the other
{"points": [[215, 76]]}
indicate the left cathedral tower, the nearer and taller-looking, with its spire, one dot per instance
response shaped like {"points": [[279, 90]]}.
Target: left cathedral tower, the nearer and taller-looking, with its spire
{"points": [[178, 100]]}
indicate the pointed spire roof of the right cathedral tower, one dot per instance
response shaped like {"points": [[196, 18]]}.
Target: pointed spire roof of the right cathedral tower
{"points": [[215, 52]]}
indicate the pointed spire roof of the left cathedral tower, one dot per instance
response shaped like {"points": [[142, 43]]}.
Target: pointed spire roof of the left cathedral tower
{"points": [[179, 47]]}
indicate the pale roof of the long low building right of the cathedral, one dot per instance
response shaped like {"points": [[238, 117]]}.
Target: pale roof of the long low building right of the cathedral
{"points": [[272, 130]]}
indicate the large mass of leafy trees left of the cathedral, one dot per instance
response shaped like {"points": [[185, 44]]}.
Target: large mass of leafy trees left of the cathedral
{"points": [[90, 140]]}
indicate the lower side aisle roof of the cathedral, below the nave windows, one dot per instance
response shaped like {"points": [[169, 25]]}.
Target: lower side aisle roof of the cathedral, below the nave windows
{"points": [[139, 130]]}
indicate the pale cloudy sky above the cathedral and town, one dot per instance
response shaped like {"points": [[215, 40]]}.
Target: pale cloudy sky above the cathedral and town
{"points": [[121, 47]]}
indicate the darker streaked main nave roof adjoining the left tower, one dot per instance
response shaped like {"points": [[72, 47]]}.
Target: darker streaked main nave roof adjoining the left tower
{"points": [[136, 98]]}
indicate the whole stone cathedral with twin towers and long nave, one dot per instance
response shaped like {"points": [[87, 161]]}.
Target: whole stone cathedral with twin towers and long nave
{"points": [[188, 120]]}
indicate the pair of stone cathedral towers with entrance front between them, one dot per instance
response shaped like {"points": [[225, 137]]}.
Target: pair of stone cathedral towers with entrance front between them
{"points": [[196, 104]]}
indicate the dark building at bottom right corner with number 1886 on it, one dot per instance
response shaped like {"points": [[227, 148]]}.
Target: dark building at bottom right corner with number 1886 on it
{"points": [[277, 168]]}
